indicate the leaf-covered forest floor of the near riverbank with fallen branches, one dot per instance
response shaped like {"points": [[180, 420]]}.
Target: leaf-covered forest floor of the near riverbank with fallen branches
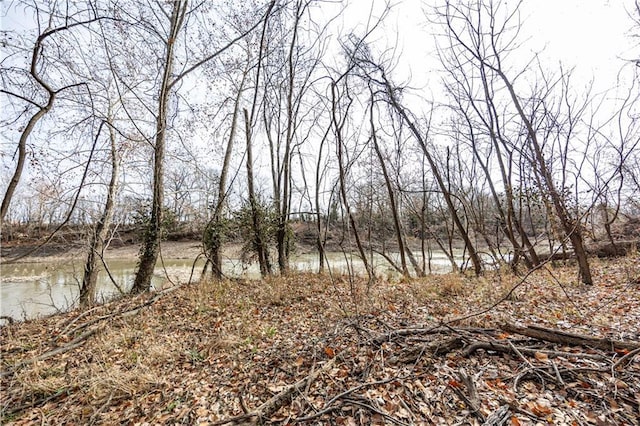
{"points": [[316, 349]]}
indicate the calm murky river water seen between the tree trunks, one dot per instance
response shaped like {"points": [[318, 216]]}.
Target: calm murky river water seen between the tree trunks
{"points": [[29, 290]]}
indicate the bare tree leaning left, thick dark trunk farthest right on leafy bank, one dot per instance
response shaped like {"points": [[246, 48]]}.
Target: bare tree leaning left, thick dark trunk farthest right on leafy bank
{"points": [[478, 32]]}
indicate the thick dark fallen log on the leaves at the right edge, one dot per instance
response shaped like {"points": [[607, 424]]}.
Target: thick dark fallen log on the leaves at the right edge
{"points": [[564, 338]]}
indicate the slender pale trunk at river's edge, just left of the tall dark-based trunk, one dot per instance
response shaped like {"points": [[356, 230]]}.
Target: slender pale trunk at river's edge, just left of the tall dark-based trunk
{"points": [[100, 233]]}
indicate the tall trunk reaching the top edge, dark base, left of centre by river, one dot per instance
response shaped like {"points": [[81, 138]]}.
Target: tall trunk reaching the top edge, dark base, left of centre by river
{"points": [[153, 235]]}
